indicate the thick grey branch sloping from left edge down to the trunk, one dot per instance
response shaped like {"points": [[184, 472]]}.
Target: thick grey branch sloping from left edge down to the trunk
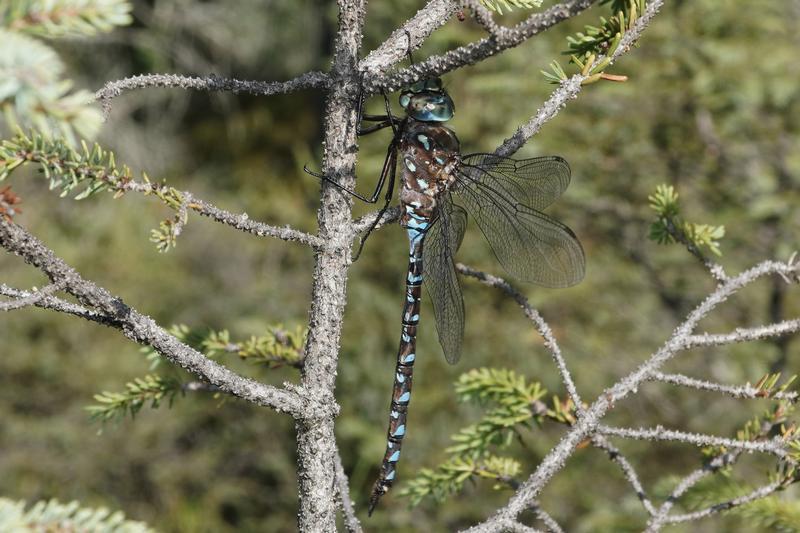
{"points": [[140, 328]]}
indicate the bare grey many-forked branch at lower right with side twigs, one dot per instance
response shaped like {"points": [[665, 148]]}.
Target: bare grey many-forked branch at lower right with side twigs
{"points": [[588, 426]]}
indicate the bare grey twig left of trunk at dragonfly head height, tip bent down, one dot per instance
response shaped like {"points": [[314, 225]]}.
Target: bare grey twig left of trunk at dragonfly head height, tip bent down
{"points": [[112, 89]]}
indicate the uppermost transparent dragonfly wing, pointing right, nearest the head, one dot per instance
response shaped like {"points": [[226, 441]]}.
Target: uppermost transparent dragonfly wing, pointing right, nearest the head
{"points": [[535, 182]]}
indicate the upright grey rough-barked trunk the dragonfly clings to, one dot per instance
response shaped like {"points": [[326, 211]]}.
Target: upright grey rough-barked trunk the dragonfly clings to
{"points": [[315, 438]]}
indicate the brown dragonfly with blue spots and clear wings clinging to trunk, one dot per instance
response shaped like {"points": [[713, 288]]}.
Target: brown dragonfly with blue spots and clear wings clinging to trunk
{"points": [[439, 189]]}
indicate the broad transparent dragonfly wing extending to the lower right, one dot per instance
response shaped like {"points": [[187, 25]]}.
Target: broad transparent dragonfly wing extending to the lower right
{"points": [[530, 245]]}
